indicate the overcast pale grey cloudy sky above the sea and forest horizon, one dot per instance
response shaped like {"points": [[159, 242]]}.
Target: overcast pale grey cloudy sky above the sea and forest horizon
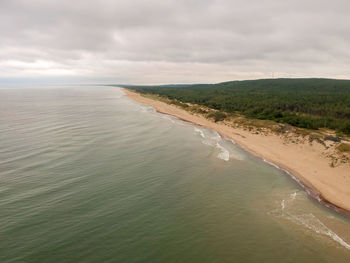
{"points": [[179, 41]]}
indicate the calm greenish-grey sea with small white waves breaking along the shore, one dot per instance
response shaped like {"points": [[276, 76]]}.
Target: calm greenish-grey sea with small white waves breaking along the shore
{"points": [[87, 175]]}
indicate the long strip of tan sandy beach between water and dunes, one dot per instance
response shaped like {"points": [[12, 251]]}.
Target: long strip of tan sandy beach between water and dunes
{"points": [[306, 162]]}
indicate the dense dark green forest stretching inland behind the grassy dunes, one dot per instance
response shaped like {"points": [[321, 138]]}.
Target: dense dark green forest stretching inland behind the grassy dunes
{"points": [[304, 103]]}
